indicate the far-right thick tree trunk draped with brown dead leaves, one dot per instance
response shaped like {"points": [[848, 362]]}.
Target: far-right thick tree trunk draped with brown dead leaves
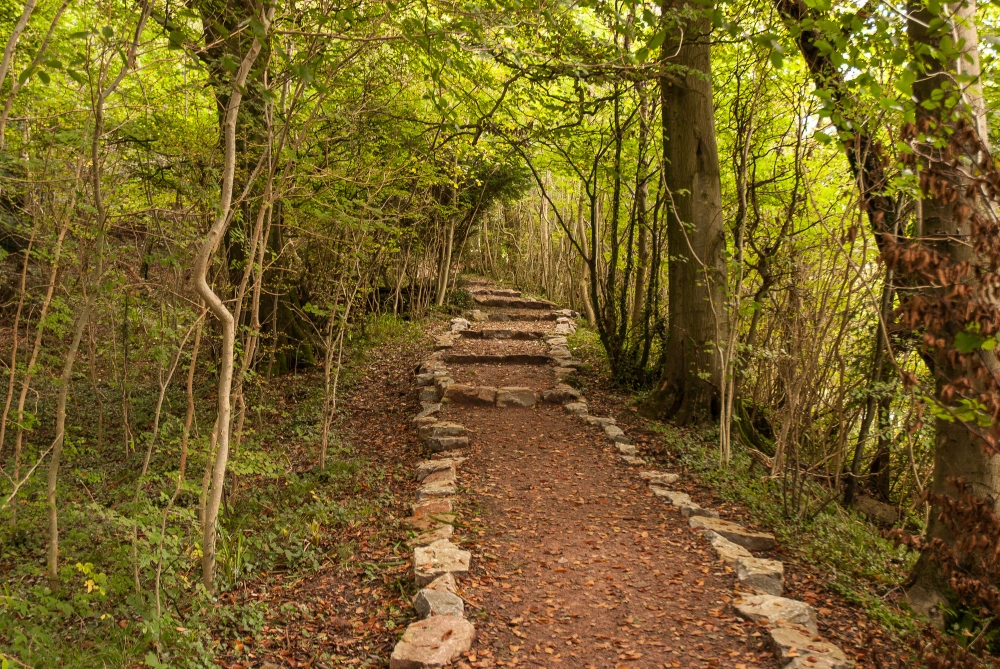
{"points": [[945, 47]]}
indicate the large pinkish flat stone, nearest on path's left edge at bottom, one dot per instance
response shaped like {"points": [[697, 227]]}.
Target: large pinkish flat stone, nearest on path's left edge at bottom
{"points": [[433, 643]]}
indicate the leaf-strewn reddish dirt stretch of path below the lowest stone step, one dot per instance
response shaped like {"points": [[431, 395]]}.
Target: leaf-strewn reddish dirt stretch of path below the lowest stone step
{"points": [[580, 565]]}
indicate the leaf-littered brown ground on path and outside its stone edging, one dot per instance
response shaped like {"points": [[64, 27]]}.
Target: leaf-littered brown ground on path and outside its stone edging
{"points": [[575, 562]]}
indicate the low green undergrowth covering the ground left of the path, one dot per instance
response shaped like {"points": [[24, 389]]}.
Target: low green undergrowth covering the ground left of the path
{"points": [[280, 515]]}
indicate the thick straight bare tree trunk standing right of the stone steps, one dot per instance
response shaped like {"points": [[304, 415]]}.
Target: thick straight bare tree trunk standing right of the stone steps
{"points": [[689, 388]]}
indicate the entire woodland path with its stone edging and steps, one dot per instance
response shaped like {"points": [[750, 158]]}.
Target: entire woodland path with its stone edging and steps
{"points": [[540, 524]]}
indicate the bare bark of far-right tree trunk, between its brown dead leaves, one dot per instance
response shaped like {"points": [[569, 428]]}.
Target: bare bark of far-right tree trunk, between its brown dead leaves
{"points": [[946, 230]]}
